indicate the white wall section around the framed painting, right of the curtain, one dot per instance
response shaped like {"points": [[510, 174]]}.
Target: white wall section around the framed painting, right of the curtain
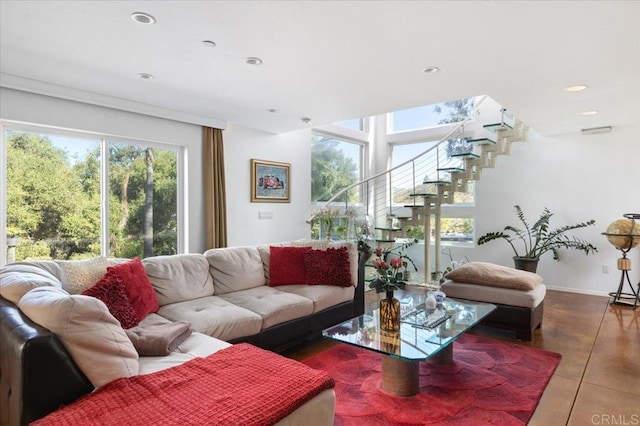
{"points": [[240, 146]]}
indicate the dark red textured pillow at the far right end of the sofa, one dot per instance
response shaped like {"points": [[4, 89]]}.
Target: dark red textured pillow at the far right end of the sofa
{"points": [[328, 267]]}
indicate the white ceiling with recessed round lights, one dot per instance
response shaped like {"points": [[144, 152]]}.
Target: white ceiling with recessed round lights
{"points": [[330, 60]]}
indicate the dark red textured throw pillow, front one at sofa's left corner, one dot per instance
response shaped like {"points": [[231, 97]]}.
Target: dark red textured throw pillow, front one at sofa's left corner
{"points": [[111, 290]]}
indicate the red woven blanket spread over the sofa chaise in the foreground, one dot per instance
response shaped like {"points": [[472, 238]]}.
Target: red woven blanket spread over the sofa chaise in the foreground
{"points": [[239, 385]]}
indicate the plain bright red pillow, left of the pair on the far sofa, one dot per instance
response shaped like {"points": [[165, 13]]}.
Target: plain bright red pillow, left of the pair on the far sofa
{"points": [[286, 265]]}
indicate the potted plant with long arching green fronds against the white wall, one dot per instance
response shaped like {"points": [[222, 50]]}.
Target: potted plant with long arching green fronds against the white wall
{"points": [[538, 239]]}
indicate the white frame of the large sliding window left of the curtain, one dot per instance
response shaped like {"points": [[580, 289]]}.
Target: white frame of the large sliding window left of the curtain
{"points": [[104, 140]]}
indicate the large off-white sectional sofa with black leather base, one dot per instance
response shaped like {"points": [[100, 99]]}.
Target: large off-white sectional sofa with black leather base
{"points": [[258, 295]]}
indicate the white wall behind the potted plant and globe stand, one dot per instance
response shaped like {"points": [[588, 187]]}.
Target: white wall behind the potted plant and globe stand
{"points": [[578, 178]]}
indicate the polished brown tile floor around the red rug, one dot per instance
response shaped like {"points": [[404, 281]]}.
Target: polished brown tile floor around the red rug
{"points": [[598, 379]]}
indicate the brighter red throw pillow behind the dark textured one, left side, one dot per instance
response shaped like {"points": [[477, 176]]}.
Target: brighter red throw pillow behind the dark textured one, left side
{"points": [[137, 287]]}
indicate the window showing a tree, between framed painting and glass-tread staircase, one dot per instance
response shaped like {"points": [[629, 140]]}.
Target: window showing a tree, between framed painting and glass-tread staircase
{"points": [[335, 164]]}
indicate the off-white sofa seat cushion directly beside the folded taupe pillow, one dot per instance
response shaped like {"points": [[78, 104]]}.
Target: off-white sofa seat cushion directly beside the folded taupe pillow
{"points": [[215, 317]]}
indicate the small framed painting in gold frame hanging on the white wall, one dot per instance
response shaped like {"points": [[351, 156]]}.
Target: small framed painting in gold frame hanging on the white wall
{"points": [[270, 181]]}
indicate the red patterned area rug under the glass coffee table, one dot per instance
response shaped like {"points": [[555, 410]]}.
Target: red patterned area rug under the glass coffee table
{"points": [[490, 383]]}
